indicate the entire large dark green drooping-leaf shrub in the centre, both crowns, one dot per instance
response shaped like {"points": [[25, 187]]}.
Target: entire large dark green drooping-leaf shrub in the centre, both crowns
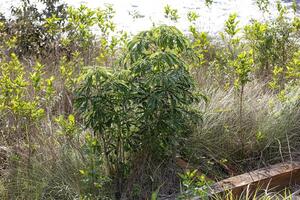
{"points": [[143, 109]]}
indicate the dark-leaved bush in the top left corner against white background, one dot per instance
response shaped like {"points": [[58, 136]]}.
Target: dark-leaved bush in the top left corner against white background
{"points": [[28, 29]]}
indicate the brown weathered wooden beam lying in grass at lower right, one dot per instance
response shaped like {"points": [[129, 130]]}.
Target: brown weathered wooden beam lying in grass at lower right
{"points": [[276, 176]]}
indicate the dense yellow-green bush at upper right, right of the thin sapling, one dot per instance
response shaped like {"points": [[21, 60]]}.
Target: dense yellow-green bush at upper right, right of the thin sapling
{"points": [[269, 42]]}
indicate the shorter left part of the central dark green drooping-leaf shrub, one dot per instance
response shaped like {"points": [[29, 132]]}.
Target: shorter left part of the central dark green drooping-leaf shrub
{"points": [[103, 100]]}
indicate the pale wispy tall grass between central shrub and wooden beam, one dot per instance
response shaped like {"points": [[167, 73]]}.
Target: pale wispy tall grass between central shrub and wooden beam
{"points": [[270, 130]]}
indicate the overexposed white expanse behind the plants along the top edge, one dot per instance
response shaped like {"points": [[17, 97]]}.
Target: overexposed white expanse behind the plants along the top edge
{"points": [[211, 19]]}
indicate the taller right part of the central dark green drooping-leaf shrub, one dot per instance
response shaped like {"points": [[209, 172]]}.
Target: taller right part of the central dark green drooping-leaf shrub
{"points": [[164, 89]]}
